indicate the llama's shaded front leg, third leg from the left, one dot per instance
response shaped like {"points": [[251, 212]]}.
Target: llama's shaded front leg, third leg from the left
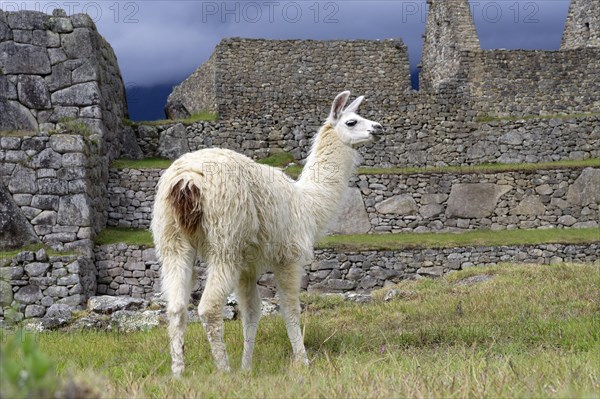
{"points": [[249, 301]]}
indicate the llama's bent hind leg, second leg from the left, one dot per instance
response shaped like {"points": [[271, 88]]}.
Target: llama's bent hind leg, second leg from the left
{"points": [[219, 284]]}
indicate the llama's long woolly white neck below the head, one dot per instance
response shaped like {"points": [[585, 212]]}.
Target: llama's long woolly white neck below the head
{"points": [[325, 176]]}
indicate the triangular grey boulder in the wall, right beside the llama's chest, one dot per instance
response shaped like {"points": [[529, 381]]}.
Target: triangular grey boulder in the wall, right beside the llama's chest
{"points": [[353, 218]]}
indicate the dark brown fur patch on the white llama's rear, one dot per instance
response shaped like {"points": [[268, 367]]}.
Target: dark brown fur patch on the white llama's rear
{"points": [[185, 200]]}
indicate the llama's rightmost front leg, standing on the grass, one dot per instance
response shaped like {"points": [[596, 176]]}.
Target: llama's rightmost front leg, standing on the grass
{"points": [[288, 283]]}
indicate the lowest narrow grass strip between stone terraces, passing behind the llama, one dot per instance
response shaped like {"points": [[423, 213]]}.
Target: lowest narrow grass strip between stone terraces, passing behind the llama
{"points": [[366, 242]]}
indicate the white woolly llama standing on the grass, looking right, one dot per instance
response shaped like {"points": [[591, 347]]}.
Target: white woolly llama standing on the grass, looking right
{"points": [[244, 218]]}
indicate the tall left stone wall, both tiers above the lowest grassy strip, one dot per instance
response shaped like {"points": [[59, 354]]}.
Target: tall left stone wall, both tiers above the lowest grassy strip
{"points": [[61, 114]]}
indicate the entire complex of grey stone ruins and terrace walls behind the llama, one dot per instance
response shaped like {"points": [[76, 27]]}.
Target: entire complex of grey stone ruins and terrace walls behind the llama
{"points": [[62, 104]]}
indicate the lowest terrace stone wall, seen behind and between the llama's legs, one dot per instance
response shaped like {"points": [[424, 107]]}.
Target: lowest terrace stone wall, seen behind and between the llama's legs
{"points": [[132, 270]]}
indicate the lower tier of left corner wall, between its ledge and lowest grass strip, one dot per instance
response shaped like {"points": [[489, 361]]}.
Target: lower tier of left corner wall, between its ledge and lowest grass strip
{"points": [[53, 180]]}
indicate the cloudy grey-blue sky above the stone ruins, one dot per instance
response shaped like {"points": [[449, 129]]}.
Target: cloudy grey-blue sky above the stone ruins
{"points": [[159, 43]]}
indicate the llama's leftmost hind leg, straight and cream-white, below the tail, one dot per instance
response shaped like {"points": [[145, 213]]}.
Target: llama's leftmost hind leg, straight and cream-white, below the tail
{"points": [[176, 280]]}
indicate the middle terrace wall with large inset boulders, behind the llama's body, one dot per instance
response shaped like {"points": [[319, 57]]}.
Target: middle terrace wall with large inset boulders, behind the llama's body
{"points": [[430, 202]]}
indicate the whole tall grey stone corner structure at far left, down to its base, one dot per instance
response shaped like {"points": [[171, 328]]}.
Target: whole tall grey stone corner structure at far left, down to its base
{"points": [[61, 110]]}
